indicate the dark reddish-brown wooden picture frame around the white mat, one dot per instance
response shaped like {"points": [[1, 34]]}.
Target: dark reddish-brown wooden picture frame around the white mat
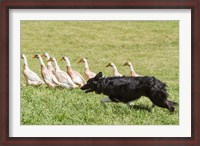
{"points": [[6, 5]]}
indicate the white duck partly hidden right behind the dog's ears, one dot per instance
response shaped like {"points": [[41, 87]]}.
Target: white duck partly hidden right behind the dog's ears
{"points": [[88, 74]]}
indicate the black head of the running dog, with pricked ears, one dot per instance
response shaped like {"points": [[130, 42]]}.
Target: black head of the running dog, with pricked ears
{"points": [[92, 84]]}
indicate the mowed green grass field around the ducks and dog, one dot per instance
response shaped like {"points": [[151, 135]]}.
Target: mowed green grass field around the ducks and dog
{"points": [[151, 46]]}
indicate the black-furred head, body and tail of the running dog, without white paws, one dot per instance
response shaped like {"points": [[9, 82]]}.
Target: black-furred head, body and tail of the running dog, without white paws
{"points": [[127, 89]]}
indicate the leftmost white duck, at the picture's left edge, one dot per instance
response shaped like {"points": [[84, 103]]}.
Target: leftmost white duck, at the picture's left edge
{"points": [[31, 77]]}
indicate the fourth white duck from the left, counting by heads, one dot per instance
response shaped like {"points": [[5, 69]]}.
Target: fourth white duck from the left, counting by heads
{"points": [[62, 76]]}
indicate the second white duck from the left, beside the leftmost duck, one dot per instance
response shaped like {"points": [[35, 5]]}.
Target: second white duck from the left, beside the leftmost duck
{"points": [[47, 75]]}
